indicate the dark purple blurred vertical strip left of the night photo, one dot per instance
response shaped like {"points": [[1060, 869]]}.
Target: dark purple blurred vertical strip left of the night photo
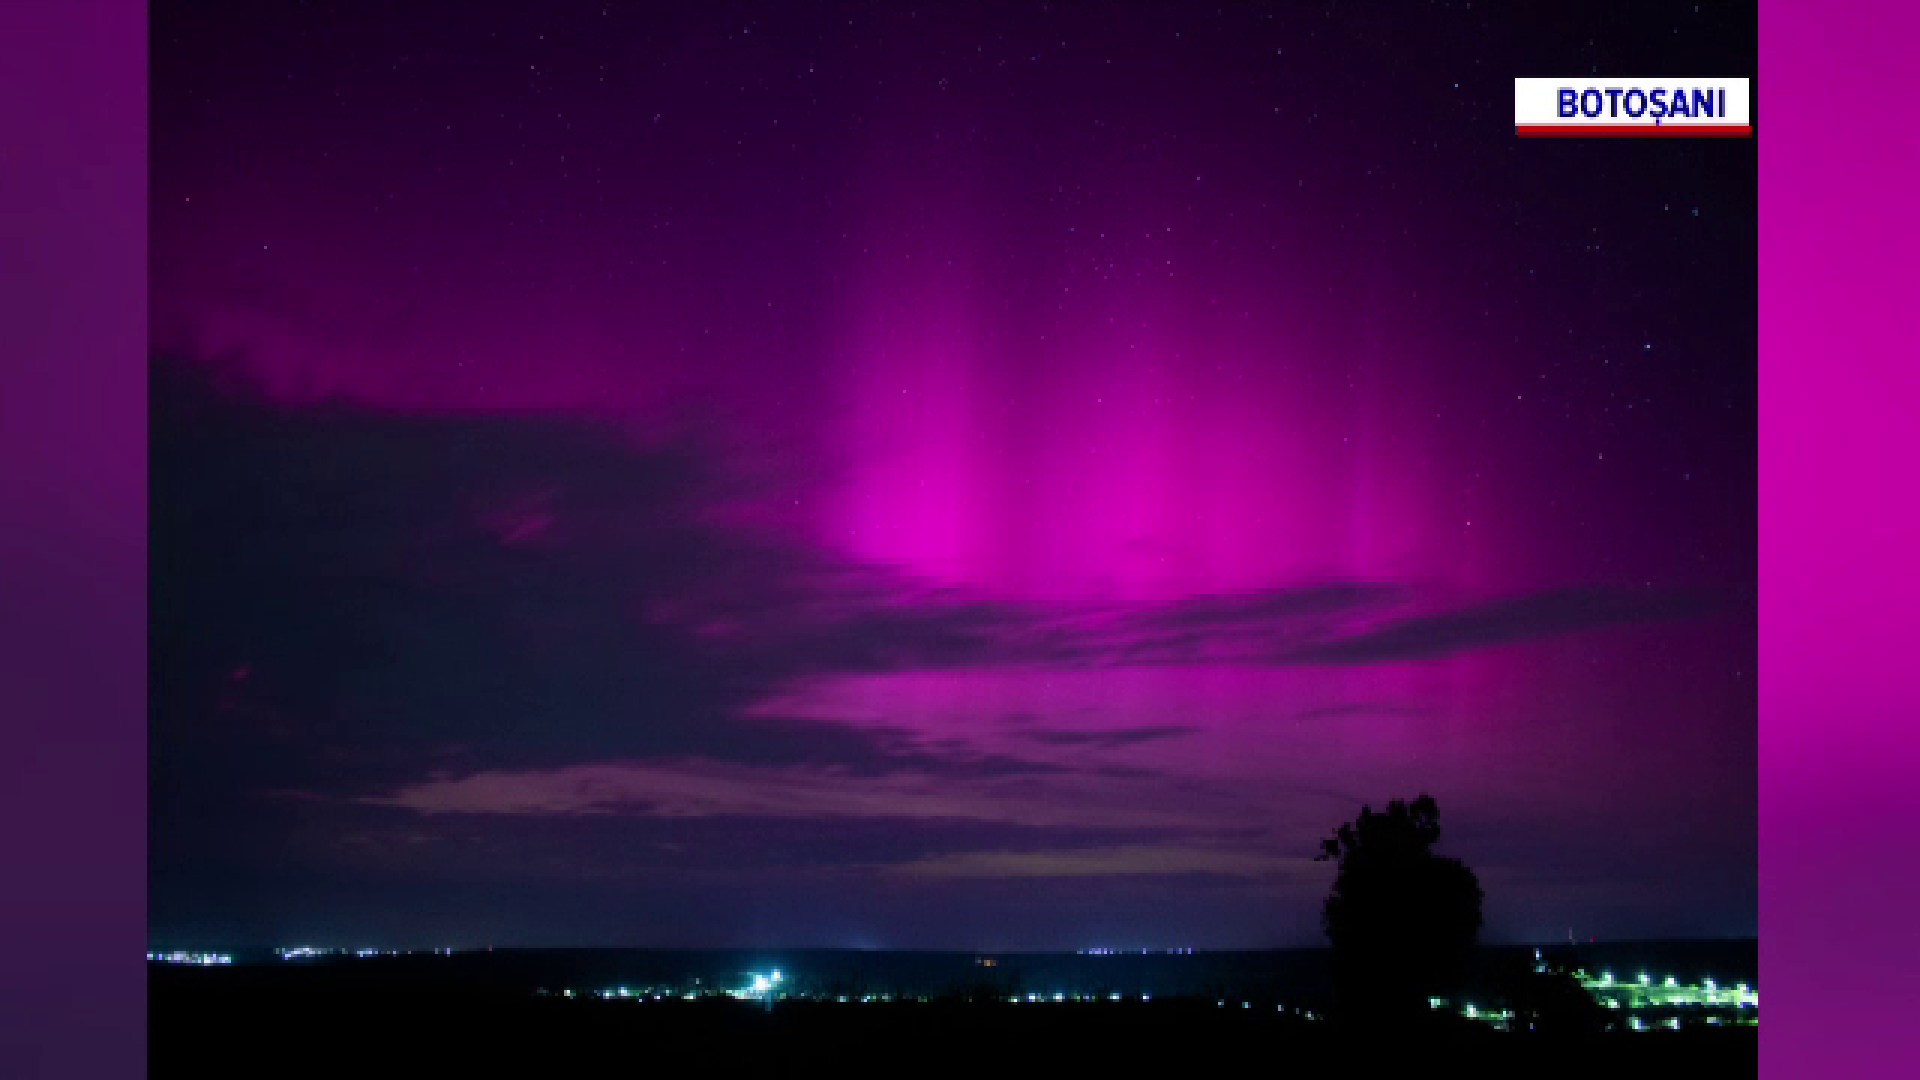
{"points": [[74, 537]]}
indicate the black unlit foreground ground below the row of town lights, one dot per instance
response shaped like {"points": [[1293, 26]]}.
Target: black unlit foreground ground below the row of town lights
{"points": [[314, 1023]]}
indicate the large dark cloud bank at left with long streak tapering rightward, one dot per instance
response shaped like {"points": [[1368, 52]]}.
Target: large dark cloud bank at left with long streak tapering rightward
{"points": [[533, 589]]}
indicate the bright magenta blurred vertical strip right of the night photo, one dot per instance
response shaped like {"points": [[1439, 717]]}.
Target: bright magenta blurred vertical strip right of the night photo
{"points": [[1840, 529]]}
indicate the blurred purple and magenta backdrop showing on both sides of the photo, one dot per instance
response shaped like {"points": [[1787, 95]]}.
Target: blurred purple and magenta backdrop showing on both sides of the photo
{"points": [[1835, 437]]}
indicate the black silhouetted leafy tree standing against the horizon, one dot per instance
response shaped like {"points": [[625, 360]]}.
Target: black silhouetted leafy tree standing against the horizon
{"points": [[1403, 921]]}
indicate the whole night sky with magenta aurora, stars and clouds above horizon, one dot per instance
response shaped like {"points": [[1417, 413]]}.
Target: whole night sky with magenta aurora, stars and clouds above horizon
{"points": [[938, 476]]}
